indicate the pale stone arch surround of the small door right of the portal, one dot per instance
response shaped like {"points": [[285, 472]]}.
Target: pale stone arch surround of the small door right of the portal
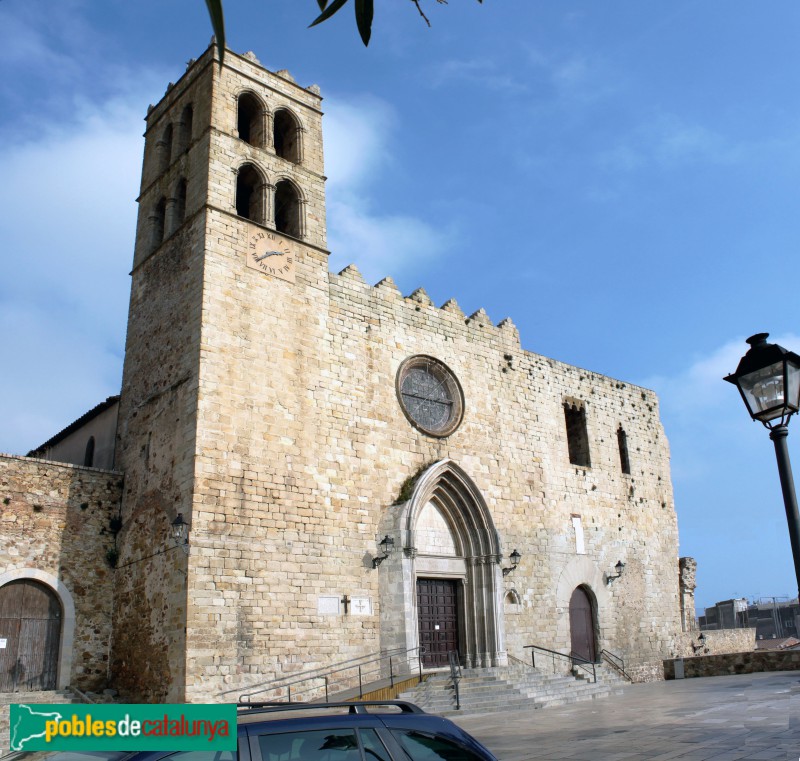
{"points": [[582, 573]]}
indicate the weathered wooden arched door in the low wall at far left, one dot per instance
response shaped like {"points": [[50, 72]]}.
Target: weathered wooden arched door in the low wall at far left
{"points": [[30, 630]]}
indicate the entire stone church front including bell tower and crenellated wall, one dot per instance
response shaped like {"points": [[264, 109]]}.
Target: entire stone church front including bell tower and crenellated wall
{"points": [[360, 470]]}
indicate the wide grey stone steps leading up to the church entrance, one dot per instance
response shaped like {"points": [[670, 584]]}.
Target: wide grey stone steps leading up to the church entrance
{"points": [[509, 688]]}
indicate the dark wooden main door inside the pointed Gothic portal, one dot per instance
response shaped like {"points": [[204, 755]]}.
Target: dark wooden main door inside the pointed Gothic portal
{"points": [[437, 606]]}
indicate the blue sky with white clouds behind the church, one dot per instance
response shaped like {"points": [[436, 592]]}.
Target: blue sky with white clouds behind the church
{"points": [[621, 179]]}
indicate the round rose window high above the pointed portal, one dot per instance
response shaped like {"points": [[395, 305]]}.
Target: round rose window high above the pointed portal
{"points": [[430, 395]]}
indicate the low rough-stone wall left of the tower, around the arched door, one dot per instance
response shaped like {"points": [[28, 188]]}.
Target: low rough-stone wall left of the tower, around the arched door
{"points": [[56, 520]]}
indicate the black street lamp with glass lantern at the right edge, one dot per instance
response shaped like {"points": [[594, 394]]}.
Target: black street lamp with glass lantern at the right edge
{"points": [[768, 378]]}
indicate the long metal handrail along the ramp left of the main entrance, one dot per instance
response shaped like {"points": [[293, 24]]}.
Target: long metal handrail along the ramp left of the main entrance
{"points": [[319, 679]]}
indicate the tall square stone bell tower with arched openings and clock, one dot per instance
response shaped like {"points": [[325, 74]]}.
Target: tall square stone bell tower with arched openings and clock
{"points": [[230, 266]]}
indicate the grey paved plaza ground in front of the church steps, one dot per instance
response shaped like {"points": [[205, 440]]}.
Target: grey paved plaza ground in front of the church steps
{"points": [[752, 716]]}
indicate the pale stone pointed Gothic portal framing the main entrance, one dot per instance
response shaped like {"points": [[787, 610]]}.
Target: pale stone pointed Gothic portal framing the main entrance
{"points": [[444, 533]]}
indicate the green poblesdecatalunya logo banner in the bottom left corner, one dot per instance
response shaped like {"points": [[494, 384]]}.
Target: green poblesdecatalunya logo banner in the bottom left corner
{"points": [[166, 726]]}
